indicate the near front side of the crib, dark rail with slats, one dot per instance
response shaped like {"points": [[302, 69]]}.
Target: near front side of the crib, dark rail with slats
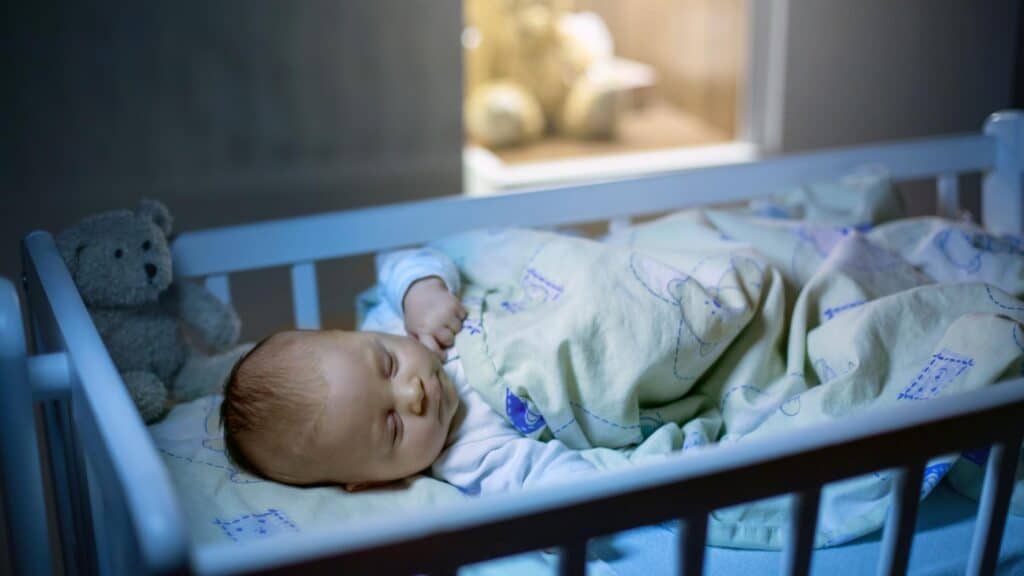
{"points": [[686, 488]]}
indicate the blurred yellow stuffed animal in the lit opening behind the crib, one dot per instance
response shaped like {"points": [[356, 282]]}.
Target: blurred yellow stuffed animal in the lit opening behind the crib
{"points": [[529, 71]]}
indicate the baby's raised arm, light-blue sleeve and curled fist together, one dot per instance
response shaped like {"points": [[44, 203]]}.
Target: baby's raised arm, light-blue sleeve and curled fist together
{"points": [[421, 286]]}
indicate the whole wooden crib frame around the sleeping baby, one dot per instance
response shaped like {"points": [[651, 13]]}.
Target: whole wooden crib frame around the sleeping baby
{"points": [[117, 512]]}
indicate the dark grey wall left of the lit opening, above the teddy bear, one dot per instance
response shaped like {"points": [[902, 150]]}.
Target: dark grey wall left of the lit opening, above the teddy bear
{"points": [[232, 112]]}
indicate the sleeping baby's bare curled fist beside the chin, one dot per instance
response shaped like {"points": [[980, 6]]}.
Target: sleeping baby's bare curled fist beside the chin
{"points": [[434, 315]]}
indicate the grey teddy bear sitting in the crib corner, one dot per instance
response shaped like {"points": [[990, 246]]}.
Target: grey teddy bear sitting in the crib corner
{"points": [[121, 263]]}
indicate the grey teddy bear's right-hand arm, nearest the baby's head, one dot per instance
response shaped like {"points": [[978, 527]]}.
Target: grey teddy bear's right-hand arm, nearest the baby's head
{"points": [[210, 320]]}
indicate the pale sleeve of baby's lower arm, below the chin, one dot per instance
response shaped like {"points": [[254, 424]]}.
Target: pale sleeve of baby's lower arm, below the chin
{"points": [[490, 457]]}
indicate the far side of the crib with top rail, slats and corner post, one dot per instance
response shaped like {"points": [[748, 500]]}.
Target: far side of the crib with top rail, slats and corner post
{"points": [[301, 243]]}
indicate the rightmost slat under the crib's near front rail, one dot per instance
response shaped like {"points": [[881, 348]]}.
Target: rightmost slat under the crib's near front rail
{"points": [[996, 496]]}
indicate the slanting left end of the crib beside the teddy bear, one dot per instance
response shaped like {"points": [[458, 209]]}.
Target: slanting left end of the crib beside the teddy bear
{"points": [[116, 507]]}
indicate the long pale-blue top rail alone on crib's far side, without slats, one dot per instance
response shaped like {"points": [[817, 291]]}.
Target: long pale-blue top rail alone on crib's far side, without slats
{"points": [[309, 239]]}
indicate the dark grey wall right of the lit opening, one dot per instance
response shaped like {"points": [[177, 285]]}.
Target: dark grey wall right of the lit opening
{"points": [[875, 70]]}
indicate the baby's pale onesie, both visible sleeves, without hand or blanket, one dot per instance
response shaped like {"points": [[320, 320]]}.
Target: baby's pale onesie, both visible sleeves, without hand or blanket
{"points": [[484, 452]]}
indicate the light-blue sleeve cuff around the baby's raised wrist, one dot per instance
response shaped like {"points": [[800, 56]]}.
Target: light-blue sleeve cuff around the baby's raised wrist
{"points": [[398, 271]]}
